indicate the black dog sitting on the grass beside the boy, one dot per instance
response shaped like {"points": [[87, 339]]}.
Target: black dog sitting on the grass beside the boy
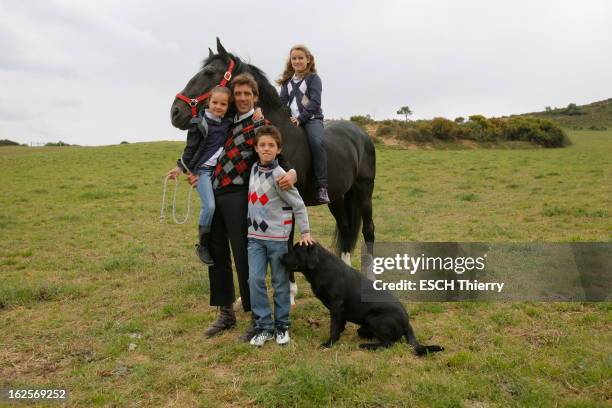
{"points": [[340, 288]]}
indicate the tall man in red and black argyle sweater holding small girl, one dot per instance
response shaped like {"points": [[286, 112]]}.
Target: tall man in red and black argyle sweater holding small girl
{"points": [[229, 225]]}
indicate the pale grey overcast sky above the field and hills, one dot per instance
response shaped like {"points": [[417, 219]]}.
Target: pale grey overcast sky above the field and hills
{"points": [[100, 72]]}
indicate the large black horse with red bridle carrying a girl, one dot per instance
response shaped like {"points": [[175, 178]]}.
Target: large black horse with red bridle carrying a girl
{"points": [[350, 152]]}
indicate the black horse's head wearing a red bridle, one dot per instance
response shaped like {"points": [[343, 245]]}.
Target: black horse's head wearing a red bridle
{"points": [[212, 73]]}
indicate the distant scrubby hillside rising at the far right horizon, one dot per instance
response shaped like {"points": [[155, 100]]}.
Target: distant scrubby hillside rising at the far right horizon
{"points": [[594, 116]]}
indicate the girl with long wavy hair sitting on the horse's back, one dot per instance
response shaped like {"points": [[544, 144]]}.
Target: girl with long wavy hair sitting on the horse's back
{"points": [[301, 92]]}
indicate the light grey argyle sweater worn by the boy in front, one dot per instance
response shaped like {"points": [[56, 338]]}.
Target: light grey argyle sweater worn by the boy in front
{"points": [[270, 208]]}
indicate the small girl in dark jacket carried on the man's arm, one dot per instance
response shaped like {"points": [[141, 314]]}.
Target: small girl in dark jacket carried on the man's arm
{"points": [[205, 140]]}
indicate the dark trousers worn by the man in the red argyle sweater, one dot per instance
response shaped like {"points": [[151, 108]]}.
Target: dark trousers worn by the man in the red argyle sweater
{"points": [[229, 224]]}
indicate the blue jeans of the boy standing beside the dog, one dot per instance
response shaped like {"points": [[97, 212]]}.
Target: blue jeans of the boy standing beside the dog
{"points": [[261, 253]]}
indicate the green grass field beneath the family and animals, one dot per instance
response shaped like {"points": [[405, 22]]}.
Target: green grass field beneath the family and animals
{"points": [[98, 297]]}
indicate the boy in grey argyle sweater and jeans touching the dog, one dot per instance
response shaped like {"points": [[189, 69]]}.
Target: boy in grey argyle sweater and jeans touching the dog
{"points": [[270, 211]]}
